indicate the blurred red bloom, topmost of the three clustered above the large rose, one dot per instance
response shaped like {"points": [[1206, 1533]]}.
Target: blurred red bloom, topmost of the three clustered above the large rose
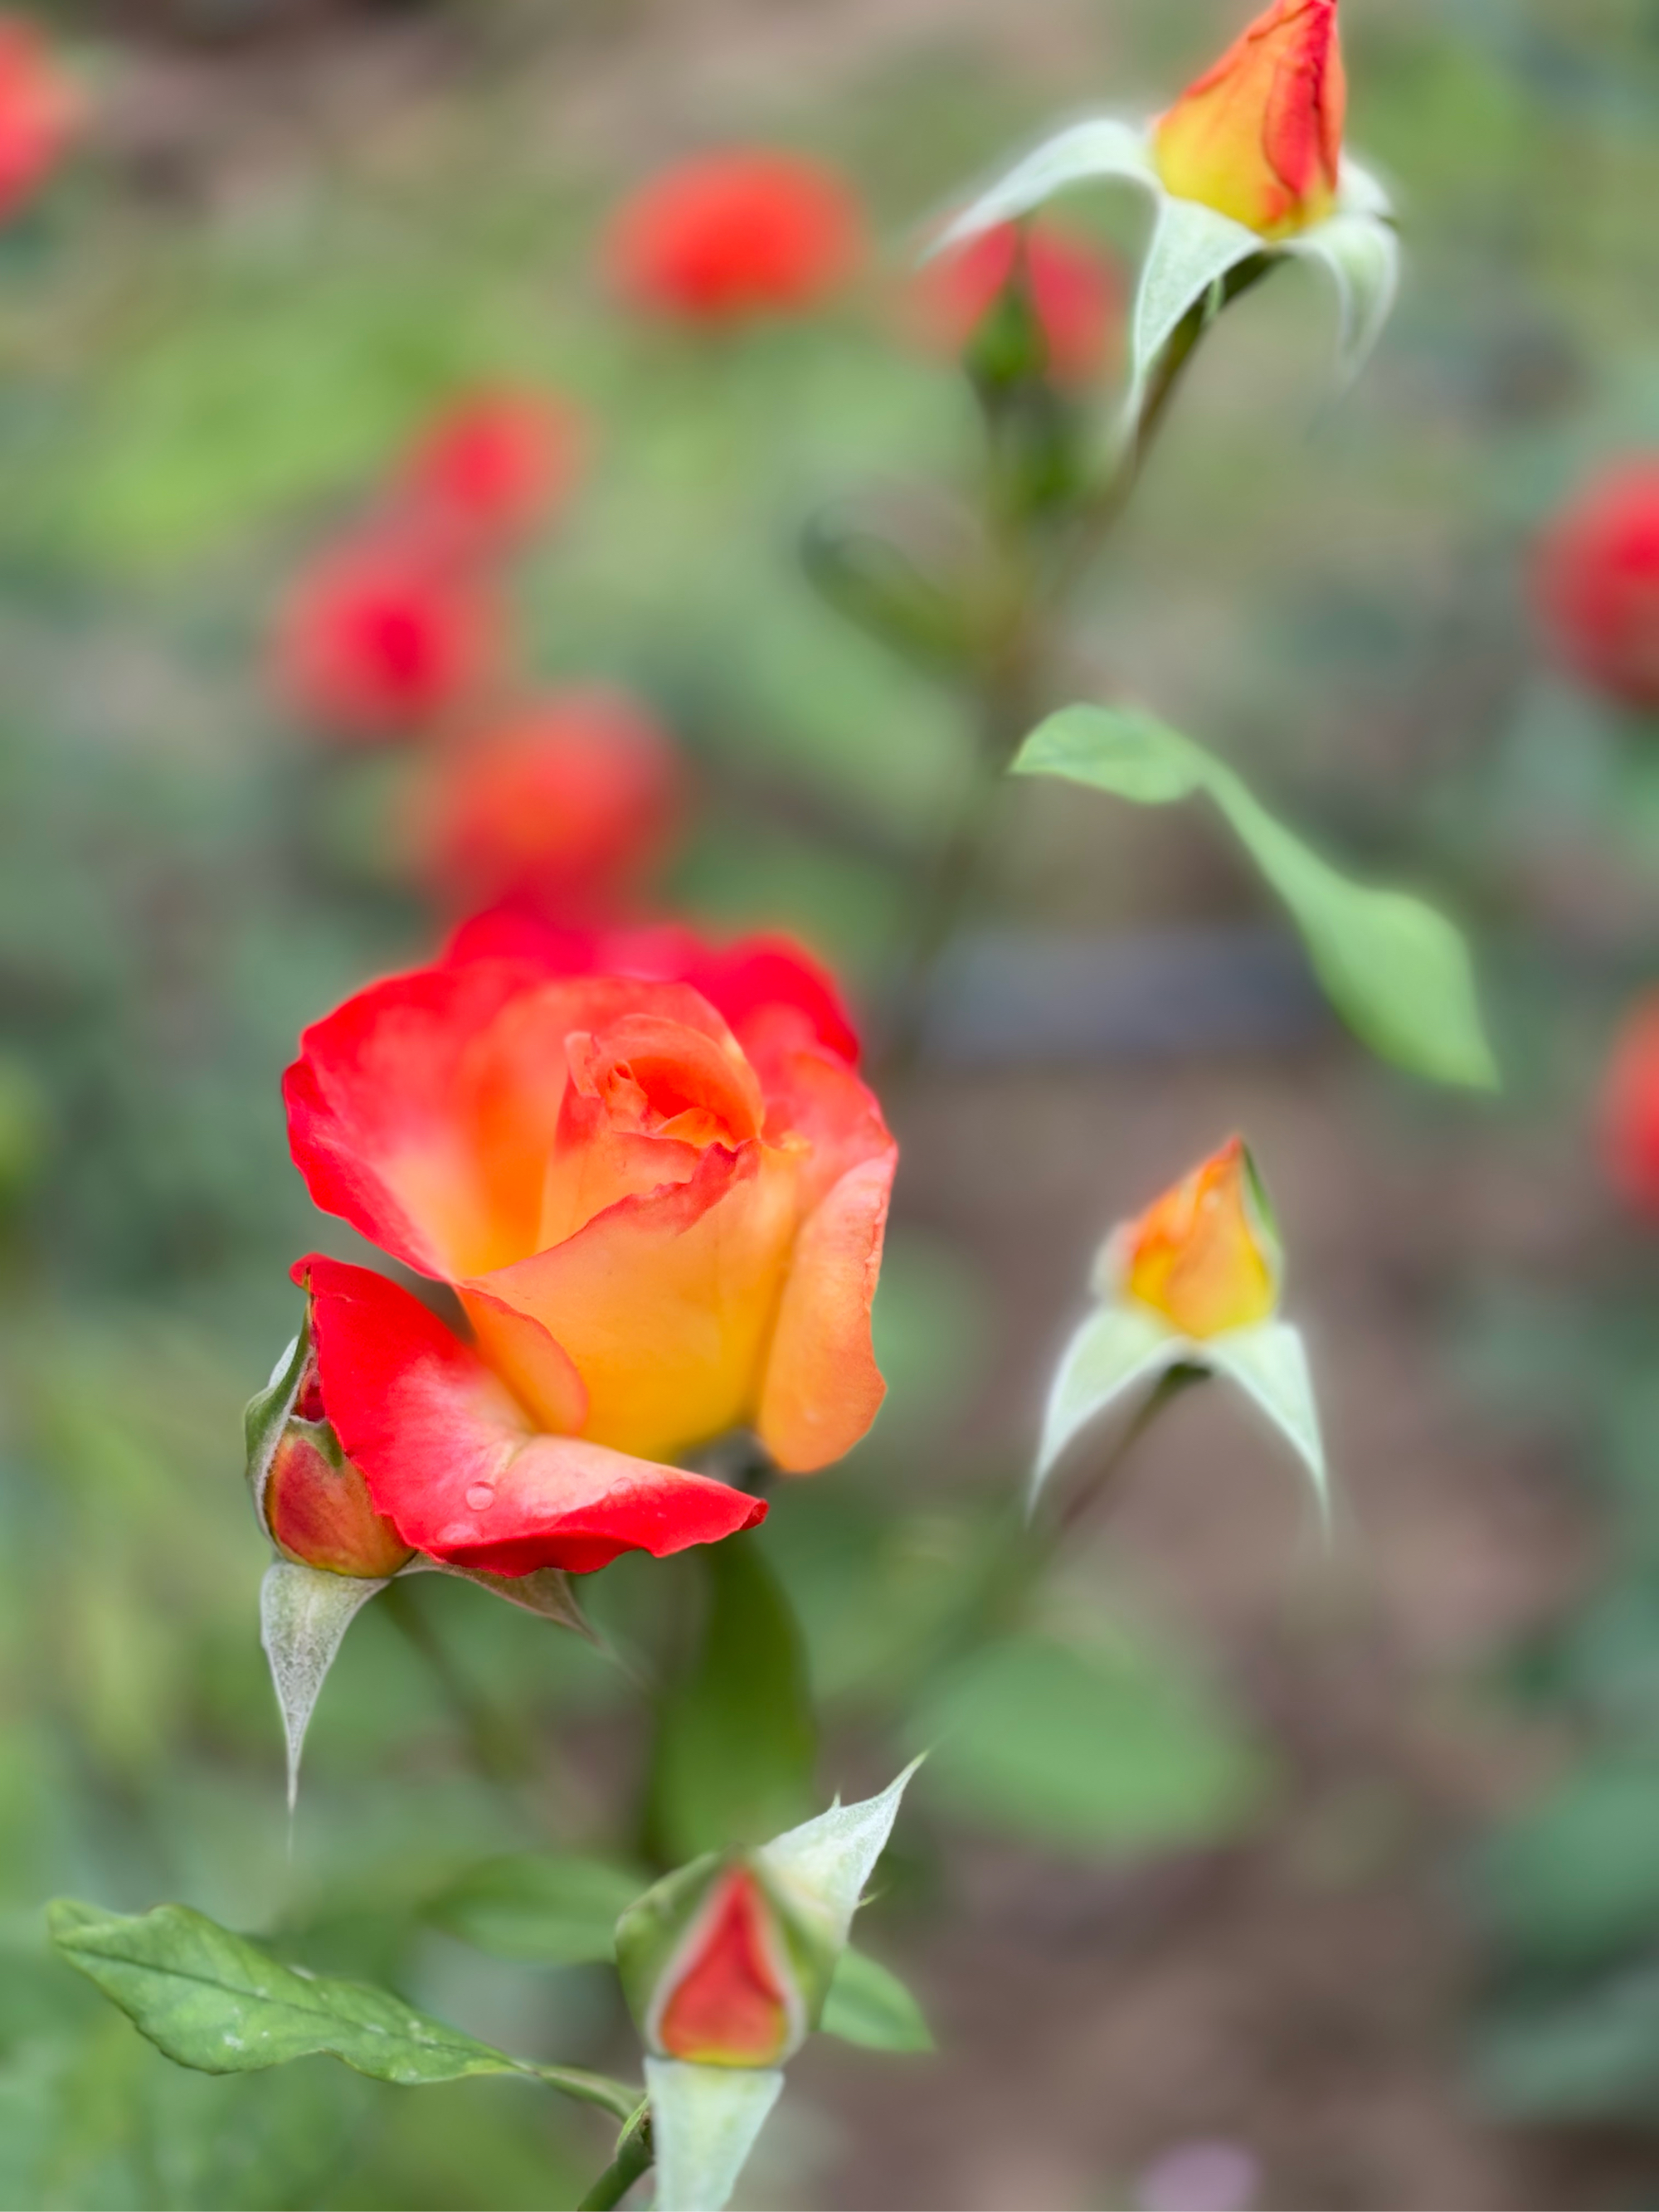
{"points": [[494, 466]]}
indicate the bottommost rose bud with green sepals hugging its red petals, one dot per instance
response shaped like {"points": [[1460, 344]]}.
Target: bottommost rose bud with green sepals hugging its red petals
{"points": [[716, 1972]]}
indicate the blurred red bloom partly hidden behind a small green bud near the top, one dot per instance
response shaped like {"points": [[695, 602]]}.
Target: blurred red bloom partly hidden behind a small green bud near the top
{"points": [[1076, 295]]}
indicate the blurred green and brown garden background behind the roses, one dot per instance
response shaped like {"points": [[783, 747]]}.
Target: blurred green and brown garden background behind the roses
{"points": [[1253, 1877]]}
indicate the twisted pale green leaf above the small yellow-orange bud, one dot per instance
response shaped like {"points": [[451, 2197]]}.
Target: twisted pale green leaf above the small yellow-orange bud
{"points": [[1395, 970]]}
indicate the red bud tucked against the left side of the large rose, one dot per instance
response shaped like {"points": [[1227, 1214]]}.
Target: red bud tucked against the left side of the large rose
{"points": [[311, 1501]]}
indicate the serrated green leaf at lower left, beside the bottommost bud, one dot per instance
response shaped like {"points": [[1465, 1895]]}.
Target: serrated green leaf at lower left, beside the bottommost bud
{"points": [[220, 2005]]}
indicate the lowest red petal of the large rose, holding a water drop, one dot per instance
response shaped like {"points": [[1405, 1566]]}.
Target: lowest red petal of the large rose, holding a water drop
{"points": [[455, 1463]]}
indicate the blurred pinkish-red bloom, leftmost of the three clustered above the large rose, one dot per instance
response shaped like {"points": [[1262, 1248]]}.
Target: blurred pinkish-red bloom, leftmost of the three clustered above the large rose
{"points": [[384, 636]]}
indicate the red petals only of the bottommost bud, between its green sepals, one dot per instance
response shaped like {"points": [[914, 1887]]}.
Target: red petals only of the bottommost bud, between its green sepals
{"points": [[729, 2001]]}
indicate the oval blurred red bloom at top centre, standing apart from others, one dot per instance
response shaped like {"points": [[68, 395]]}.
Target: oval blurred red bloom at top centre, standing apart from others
{"points": [[735, 236]]}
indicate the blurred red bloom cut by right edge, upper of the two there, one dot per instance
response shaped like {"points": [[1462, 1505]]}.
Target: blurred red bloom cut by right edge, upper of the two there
{"points": [[1598, 583]]}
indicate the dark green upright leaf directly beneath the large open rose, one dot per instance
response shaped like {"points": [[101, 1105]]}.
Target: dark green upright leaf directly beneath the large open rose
{"points": [[735, 1742]]}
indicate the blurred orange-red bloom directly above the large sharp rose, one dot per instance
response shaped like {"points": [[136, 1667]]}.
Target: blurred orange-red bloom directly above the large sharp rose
{"points": [[563, 811]]}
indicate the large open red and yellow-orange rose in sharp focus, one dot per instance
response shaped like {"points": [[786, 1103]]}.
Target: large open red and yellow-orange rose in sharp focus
{"points": [[660, 1200]]}
